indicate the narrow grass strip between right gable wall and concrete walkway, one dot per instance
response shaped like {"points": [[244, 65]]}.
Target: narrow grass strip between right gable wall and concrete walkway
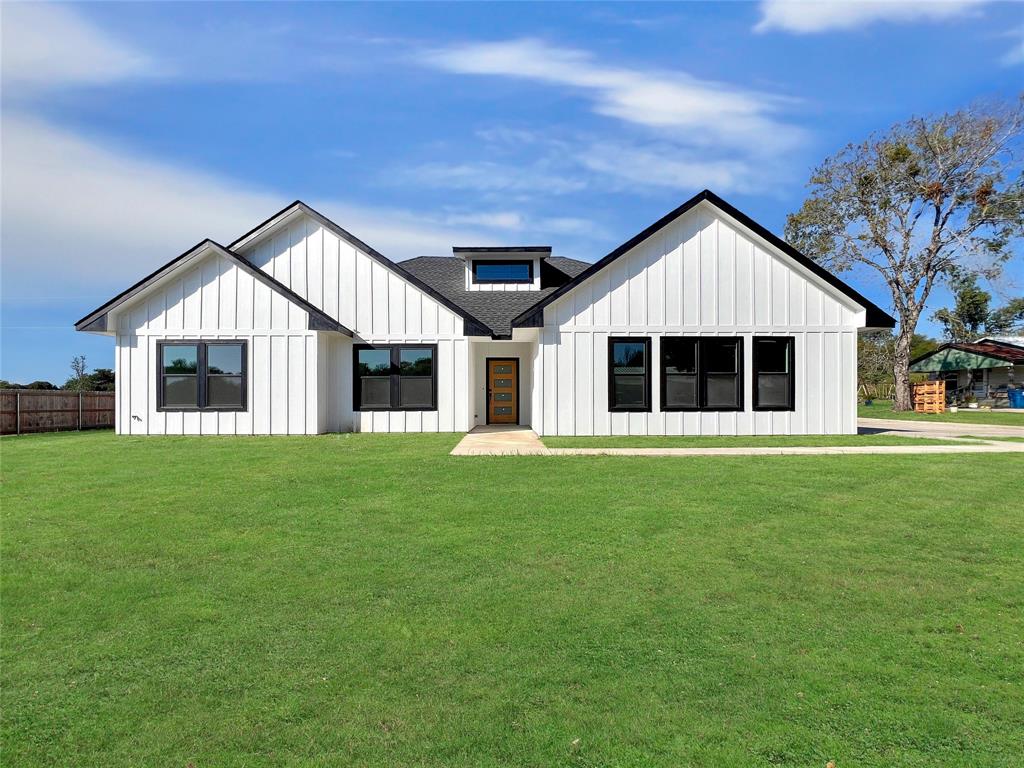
{"points": [[741, 442]]}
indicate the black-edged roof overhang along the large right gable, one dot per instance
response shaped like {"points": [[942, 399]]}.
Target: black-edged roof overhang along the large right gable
{"points": [[875, 316]]}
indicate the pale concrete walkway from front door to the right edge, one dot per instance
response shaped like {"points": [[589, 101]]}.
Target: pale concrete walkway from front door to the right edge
{"points": [[517, 441]]}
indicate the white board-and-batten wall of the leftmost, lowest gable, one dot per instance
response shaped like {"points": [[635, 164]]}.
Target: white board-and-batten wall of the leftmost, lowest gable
{"points": [[217, 300]]}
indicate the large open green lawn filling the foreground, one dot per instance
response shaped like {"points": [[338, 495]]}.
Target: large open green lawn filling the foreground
{"points": [[370, 601]]}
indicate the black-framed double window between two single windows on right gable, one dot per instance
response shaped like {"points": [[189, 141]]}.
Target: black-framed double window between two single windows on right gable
{"points": [[702, 373]]}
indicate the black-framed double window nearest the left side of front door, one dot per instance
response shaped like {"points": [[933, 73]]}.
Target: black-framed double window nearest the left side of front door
{"points": [[394, 377]]}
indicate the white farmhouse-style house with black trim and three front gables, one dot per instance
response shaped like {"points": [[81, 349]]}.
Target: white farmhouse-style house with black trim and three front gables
{"points": [[703, 324]]}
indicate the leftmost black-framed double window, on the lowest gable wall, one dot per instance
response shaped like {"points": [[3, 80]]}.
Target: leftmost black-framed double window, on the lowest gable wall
{"points": [[202, 376]]}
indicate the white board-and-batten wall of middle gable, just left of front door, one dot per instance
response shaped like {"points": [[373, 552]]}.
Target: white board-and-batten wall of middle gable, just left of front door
{"points": [[381, 308]]}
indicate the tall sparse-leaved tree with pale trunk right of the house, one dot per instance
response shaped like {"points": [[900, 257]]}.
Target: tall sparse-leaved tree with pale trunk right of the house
{"points": [[928, 200]]}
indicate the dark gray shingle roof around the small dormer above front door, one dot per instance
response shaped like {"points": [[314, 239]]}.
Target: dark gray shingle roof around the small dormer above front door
{"points": [[447, 275]]}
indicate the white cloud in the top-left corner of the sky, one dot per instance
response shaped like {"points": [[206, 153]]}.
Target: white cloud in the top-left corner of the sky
{"points": [[48, 46]]}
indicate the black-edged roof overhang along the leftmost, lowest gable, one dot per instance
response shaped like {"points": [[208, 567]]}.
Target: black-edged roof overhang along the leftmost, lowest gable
{"points": [[97, 320]]}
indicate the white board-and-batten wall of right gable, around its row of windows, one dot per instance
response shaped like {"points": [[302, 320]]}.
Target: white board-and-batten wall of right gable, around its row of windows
{"points": [[705, 275]]}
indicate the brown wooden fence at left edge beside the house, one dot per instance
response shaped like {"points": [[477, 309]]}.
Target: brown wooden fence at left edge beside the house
{"points": [[24, 411]]}
